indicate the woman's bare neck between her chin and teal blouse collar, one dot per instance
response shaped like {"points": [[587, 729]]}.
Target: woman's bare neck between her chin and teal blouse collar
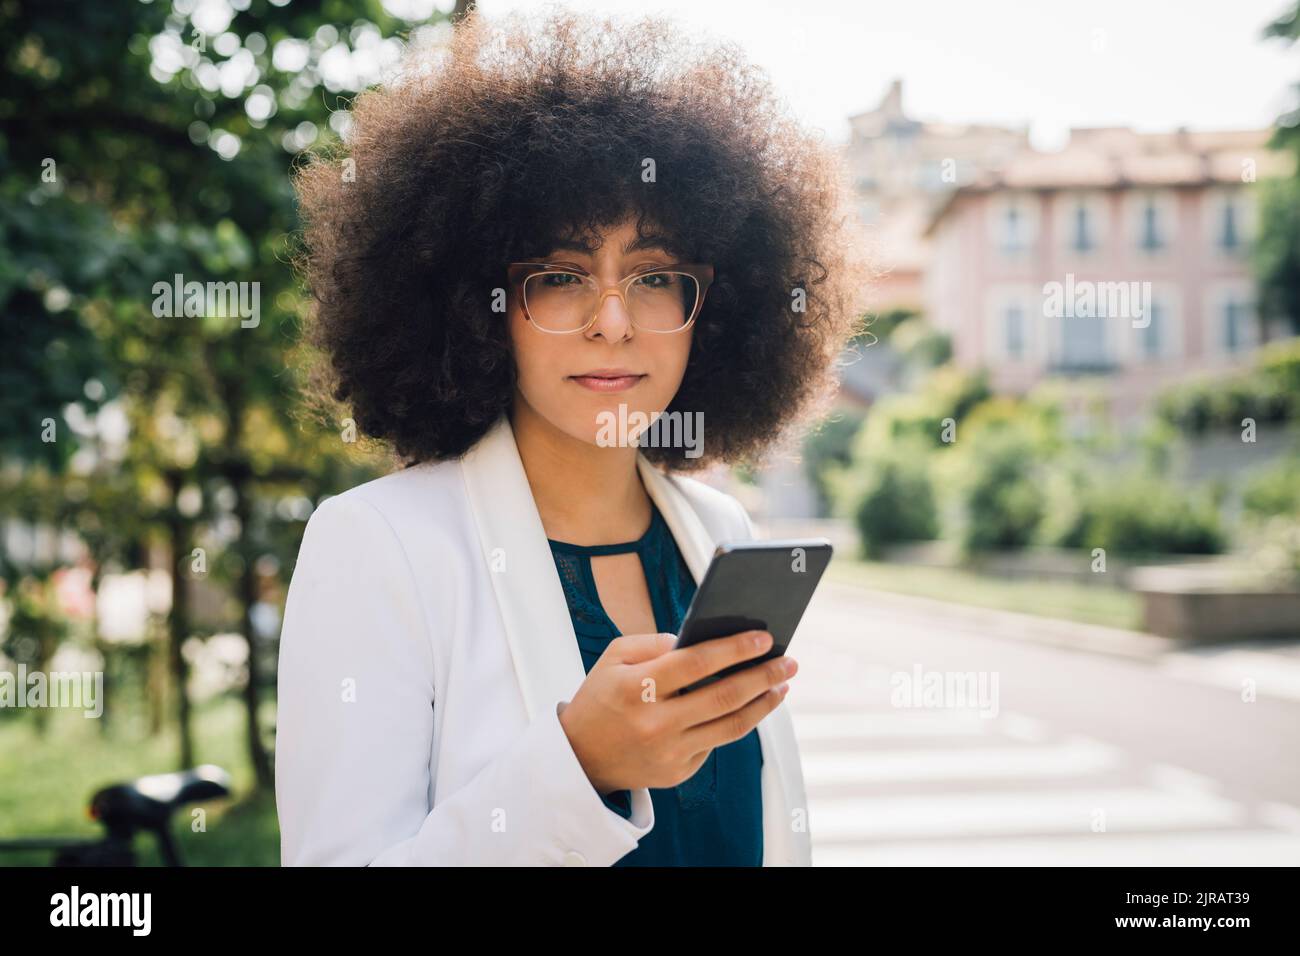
{"points": [[586, 495]]}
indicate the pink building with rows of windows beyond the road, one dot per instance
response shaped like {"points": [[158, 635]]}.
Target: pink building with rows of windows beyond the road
{"points": [[1123, 261]]}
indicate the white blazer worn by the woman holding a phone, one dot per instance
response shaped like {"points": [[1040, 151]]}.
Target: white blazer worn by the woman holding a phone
{"points": [[426, 648]]}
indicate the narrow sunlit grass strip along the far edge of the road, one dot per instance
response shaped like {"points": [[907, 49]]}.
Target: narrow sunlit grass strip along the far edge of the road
{"points": [[1064, 600]]}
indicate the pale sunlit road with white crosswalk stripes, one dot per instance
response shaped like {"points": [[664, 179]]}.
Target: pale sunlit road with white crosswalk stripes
{"points": [[1011, 752]]}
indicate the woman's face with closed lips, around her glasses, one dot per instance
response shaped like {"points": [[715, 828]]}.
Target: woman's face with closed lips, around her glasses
{"points": [[578, 382]]}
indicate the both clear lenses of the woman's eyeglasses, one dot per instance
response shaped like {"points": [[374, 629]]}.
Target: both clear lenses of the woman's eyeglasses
{"points": [[566, 301]]}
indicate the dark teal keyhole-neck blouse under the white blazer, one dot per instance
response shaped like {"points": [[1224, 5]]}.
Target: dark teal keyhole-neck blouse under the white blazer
{"points": [[716, 819]]}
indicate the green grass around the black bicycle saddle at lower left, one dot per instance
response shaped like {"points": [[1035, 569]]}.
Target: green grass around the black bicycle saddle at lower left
{"points": [[49, 780]]}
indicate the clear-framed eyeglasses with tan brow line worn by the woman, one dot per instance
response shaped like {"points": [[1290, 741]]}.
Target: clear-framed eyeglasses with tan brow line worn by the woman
{"points": [[565, 300]]}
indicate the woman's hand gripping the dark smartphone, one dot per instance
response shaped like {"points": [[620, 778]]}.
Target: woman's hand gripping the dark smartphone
{"points": [[631, 729]]}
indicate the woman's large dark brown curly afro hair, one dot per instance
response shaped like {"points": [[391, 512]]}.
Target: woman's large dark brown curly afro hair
{"points": [[521, 133]]}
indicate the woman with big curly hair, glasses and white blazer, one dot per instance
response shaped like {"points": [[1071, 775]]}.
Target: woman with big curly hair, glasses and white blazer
{"points": [[551, 232]]}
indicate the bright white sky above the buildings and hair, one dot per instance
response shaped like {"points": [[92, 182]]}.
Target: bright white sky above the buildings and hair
{"points": [[1051, 66]]}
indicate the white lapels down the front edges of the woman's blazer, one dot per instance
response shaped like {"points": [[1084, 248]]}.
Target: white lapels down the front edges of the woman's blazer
{"points": [[536, 616]]}
